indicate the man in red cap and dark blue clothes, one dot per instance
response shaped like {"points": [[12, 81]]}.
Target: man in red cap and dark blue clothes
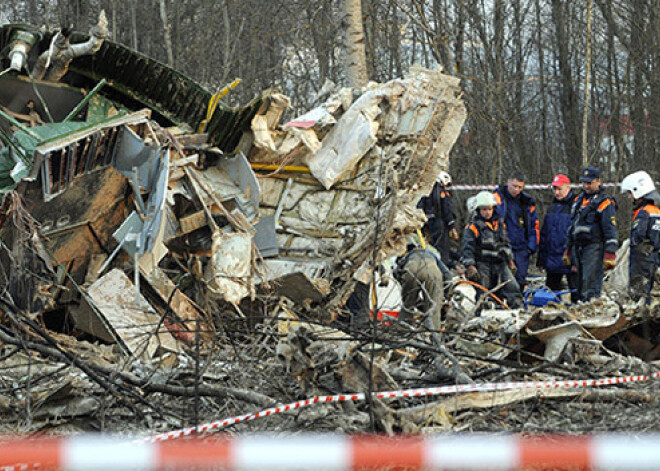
{"points": [[554, 233]]}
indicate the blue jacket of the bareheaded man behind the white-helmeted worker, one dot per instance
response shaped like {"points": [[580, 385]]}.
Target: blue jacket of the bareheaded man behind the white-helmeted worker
{"points": [[519, 215]]}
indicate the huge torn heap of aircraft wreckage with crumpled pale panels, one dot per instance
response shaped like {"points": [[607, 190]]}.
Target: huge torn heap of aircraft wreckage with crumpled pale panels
{"points": [[123, 180]]}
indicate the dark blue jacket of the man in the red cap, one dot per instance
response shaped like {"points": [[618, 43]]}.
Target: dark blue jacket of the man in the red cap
{"points": [[554, 233]]}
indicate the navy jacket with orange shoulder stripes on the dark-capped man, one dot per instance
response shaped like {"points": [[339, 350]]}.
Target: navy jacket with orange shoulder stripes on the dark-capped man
{"points": [[593, 220]]}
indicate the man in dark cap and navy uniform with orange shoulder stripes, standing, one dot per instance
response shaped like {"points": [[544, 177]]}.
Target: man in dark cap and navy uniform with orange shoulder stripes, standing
{"points": [[592, 237]]}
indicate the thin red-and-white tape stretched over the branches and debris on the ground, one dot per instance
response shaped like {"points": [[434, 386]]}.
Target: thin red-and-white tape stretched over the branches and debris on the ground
{"points": [[418, 392]]}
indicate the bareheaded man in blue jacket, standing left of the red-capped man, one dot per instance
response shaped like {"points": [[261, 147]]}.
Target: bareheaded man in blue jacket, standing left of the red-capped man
{"points": [[518, 210]]}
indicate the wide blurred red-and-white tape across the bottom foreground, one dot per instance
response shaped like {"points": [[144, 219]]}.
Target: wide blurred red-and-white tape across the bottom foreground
{"points": [[339, 452]]}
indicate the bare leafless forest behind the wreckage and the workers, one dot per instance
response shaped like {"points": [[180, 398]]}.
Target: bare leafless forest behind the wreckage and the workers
{"points": [[527, 67]]}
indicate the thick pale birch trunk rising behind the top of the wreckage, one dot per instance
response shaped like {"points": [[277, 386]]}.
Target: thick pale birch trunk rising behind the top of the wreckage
{"points": [[355, 59]]}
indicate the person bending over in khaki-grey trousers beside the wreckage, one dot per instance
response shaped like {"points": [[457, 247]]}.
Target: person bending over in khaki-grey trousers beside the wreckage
{"points": [[419, 272]]}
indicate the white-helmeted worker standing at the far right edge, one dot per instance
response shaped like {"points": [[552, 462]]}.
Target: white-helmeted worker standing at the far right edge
{"points": [[644, 233]]}
